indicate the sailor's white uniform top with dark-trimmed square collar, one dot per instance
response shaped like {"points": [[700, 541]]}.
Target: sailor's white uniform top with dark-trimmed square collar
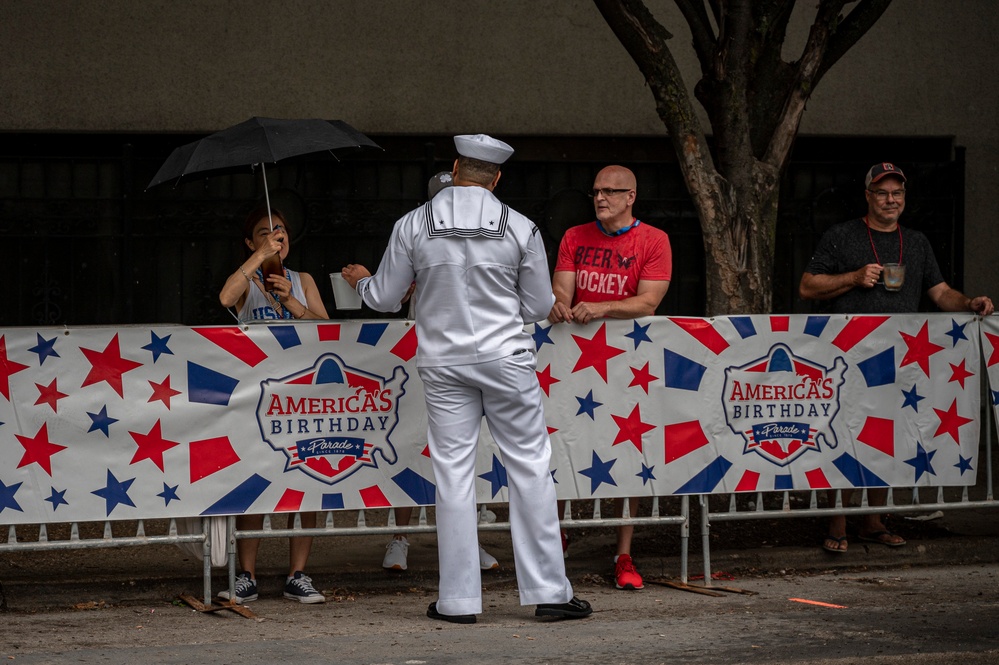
{"points": [[481, 273]]}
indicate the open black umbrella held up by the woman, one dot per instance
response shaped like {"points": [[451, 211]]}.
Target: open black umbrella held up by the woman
{"points": [[259, 141]]}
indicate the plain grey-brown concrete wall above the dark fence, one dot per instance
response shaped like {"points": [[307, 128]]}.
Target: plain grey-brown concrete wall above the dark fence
{"points": [[516, 67]]}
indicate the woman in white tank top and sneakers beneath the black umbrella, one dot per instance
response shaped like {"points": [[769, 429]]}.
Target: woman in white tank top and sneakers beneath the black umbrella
{"points": [[290, 295]]}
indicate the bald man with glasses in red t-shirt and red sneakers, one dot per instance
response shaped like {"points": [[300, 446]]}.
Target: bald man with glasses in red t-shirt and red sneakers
{"points": [[615, 267]]}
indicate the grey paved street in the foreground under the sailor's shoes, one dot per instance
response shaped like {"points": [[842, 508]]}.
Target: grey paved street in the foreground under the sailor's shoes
{"points": [[908, 614]]}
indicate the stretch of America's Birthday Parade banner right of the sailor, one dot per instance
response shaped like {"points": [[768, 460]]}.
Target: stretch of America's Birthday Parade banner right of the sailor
{"points": [[667, 406]]}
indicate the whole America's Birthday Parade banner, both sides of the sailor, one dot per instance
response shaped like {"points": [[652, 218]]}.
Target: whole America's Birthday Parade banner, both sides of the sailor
{"points": [[174, 421]]}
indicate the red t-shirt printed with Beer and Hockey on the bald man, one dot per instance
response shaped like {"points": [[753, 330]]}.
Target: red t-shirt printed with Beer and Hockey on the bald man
{"points": [[610, 267]]}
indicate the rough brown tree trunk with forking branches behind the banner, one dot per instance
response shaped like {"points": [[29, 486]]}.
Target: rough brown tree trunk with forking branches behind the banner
{"points": [[754, 101]]}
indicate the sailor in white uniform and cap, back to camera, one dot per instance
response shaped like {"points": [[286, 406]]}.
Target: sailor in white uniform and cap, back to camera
{"points": [[481, 272]]}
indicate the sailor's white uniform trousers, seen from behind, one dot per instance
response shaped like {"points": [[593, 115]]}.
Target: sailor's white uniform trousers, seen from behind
{"points": [[506, 391]]}
